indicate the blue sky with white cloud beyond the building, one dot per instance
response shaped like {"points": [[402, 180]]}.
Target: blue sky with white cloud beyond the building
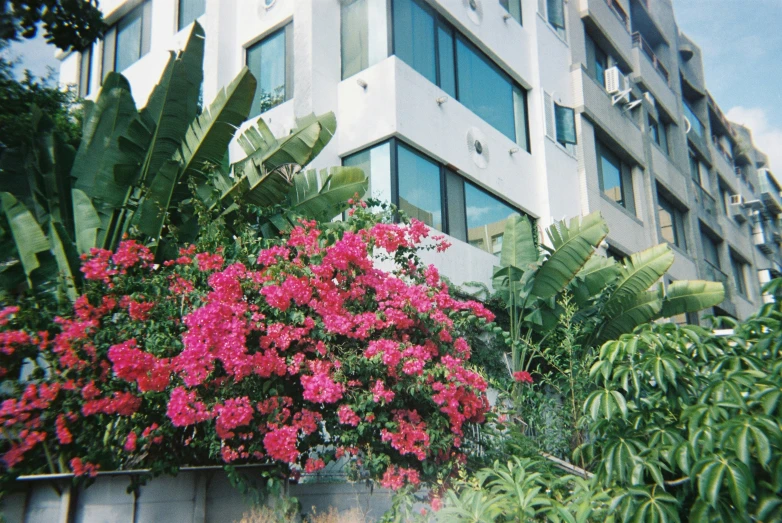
{"points": [[741, 42]]}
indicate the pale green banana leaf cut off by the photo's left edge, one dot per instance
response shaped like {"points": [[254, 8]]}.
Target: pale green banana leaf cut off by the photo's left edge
{"points": [[29, 238]]}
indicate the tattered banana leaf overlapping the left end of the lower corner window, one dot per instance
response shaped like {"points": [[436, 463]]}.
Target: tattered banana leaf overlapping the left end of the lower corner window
{"points": [[322, 195]]}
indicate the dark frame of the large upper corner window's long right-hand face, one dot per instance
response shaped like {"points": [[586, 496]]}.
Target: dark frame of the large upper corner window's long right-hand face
{"points": [[439, 21]]}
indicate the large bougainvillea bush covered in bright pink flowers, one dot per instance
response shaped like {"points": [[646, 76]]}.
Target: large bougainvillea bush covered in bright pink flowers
{"points": [[291, 353]]}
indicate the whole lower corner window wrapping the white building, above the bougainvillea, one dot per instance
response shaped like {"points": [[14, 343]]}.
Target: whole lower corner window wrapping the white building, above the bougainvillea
{"points": [[438, 196]]}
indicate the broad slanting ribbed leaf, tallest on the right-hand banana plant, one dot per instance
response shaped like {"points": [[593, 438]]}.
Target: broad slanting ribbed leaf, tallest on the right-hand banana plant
{"points": [[573, 246]]}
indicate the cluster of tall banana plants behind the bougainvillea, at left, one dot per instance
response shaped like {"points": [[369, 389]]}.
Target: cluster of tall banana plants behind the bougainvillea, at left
{"points": [[136, 170]]}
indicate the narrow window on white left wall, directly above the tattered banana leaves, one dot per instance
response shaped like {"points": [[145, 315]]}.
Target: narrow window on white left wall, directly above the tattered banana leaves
{"points": [[270, 61]]}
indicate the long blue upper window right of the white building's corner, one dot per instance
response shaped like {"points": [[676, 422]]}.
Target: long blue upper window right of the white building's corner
{"points": [[432, 47]]}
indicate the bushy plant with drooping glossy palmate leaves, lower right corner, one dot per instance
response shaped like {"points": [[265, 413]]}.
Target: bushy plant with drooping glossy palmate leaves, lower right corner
{"points": [[692, 415]]}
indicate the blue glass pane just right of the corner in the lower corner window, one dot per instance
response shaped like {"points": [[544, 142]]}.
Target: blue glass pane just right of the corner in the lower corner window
{"points": [[419, 187]]}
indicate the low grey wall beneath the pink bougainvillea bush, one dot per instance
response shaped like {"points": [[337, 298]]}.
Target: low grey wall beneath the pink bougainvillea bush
{"points": [[190, 497]]}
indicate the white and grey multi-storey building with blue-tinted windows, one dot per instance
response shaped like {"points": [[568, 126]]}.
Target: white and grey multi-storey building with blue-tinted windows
{"points": [[463, 111]]}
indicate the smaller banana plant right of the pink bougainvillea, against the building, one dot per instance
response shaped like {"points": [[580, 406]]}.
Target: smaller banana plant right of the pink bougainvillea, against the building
{"points": [[613, 296]]}
